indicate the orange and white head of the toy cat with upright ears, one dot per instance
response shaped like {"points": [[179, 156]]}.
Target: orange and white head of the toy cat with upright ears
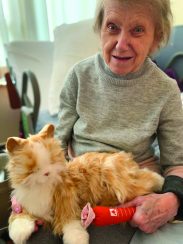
{"points": [[36, 160]]}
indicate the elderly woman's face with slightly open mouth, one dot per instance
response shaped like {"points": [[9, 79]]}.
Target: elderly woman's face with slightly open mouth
{"points": [[127, 36]]}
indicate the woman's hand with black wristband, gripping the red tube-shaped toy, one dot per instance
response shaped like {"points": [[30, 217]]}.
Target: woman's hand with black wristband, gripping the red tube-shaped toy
{"points": [[153, 210]]}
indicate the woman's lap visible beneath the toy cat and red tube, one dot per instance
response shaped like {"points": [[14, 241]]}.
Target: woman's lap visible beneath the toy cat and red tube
{"points": [[169, 234]]}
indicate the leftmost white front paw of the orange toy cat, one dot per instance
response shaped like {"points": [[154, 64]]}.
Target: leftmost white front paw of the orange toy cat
{"points": [[21, 229]]}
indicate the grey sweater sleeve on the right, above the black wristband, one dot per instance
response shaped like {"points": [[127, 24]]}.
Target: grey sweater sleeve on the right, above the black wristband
{"points": [[170, 130]]}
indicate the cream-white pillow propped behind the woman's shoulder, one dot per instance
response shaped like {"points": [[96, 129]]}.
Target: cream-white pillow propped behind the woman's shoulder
{"points": [[72, 43]]}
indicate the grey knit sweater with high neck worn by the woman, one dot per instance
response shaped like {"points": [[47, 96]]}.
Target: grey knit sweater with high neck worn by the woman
{"points": [[102, 111]]}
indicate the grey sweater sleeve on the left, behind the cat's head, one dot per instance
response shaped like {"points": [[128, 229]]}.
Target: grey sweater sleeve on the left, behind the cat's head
{"points": [[67, 111]]}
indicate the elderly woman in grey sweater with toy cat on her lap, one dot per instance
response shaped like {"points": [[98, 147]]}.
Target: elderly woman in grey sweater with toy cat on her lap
{"points": [[120, 100]]}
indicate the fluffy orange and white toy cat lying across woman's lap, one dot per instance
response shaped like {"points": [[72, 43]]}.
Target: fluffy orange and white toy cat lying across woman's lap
{"points": [[51, 189]]}
